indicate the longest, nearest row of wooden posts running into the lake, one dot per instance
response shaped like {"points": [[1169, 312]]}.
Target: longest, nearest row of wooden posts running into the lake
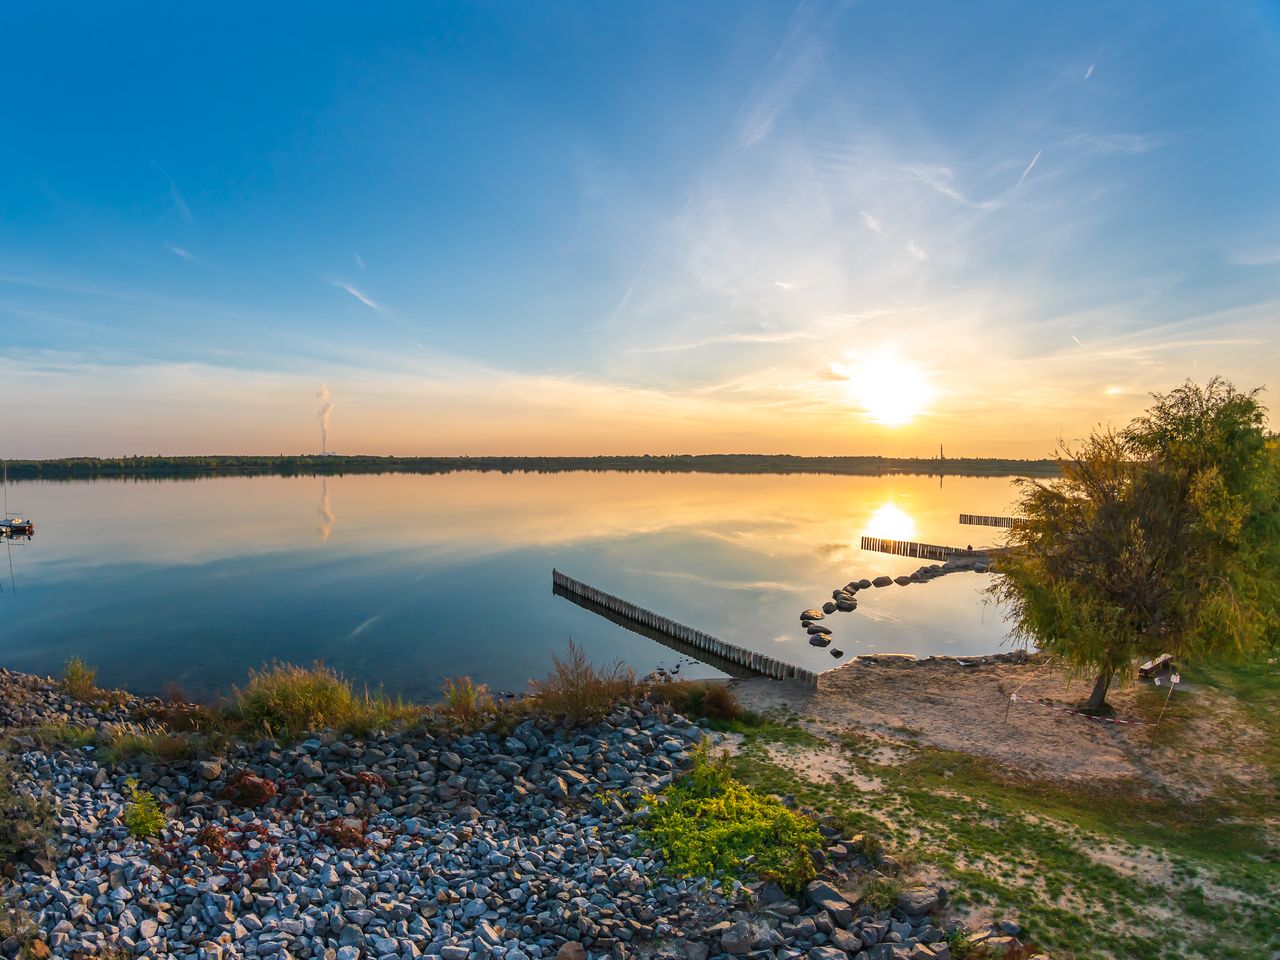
{"points": [[735, 661]]}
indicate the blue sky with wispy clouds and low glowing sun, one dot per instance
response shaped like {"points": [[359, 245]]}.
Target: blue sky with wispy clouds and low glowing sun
{"points": [[573, 228]]}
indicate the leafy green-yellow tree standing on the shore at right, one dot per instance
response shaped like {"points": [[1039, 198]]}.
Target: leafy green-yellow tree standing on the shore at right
{"points": [[1162, 538]]}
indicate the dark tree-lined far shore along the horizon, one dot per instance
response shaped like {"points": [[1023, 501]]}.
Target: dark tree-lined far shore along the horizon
{"points": [[335, 465]]}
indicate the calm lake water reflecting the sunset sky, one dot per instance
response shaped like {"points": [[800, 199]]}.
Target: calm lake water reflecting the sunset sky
{"points": [[403, 580]]}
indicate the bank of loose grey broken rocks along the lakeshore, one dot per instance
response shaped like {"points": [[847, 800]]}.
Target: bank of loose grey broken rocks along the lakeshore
{"points": [[455, 845]]}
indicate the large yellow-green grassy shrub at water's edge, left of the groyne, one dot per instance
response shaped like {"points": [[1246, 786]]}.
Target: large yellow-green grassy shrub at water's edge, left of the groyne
{"points": [[290, 701]]}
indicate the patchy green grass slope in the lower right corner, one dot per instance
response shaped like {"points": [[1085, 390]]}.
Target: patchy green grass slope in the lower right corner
{"points": [[1089, 871]]}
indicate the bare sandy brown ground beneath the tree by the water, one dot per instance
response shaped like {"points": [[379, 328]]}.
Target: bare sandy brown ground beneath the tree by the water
{"points": [[950, 706]]}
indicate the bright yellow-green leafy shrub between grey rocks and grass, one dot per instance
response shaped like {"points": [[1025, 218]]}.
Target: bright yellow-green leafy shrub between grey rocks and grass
{"points": [[711, 825]]}
